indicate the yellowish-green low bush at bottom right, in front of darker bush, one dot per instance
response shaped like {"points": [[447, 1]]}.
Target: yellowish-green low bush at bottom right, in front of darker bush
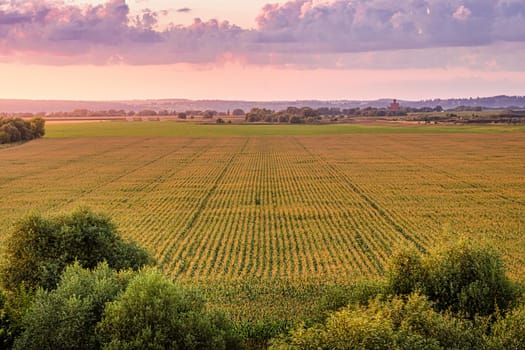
{"points": [[398, 323]]}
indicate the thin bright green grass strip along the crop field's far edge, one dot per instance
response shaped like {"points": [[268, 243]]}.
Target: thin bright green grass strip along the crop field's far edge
{"points": [[167, 128]]}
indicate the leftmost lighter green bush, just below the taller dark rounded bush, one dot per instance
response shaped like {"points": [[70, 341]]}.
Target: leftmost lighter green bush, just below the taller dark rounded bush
{"points": [[65, 318]]}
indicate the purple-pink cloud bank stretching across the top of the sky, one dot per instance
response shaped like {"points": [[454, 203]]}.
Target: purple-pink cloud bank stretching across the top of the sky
{"points": [[51, 32]]}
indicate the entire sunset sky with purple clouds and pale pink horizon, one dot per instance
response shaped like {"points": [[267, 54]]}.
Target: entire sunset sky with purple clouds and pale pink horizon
{"points": [[255, 50]]}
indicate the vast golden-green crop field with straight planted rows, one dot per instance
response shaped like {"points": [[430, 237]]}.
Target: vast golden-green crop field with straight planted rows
{"points": [[263, 219]]}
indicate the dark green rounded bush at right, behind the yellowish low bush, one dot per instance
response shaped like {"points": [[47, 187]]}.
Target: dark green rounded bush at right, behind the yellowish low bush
{"points": [[465, 278]]}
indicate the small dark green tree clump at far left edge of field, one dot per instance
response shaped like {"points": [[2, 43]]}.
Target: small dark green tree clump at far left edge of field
{"points": [[18, 129]]}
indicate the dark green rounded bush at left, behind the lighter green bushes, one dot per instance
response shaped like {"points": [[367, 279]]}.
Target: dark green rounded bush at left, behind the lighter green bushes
{"points": [[39, 248]]}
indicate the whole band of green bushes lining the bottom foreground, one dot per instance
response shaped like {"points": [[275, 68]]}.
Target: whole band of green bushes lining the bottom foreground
{"points": [[70, 282]]}
